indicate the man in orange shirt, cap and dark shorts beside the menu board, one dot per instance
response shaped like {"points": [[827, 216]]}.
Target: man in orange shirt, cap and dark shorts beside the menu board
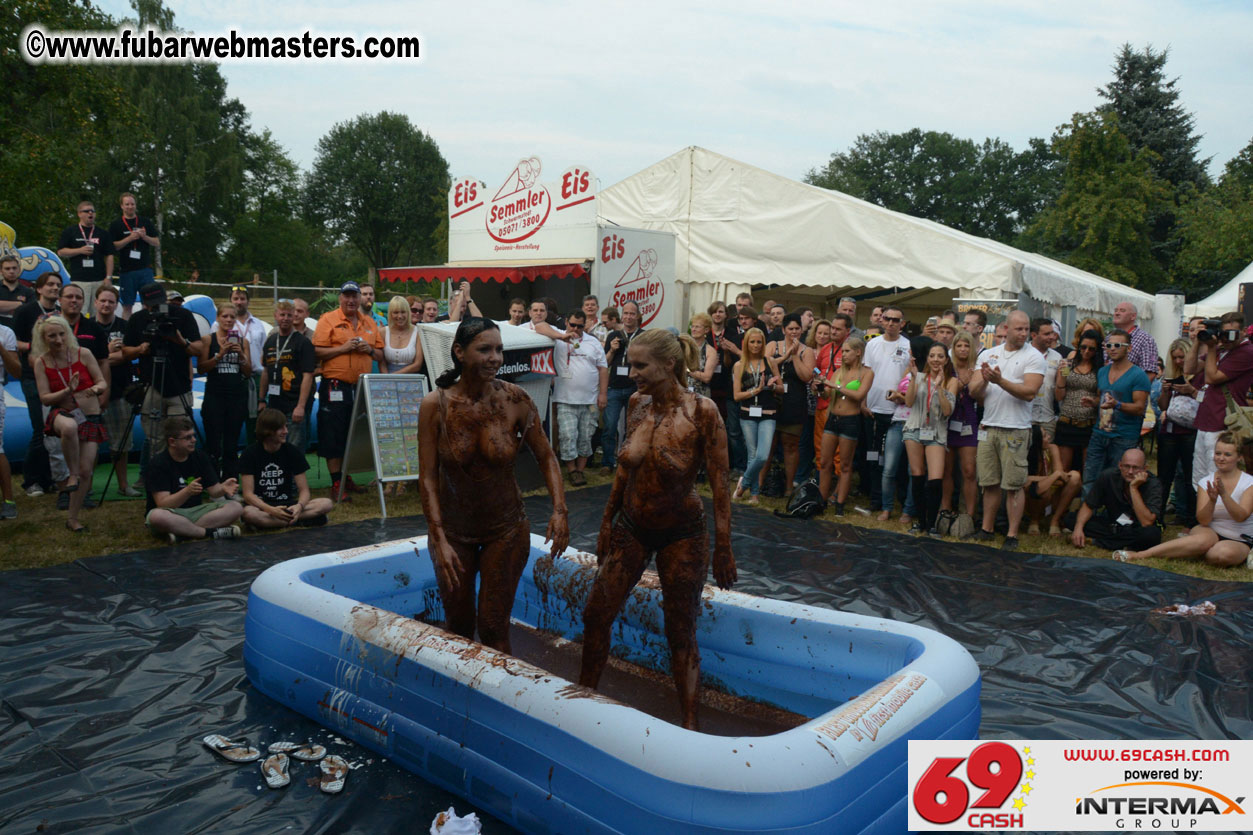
{"points": [[348, 344]]}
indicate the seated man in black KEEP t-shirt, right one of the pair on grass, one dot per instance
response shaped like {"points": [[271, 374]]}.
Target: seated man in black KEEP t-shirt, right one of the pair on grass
{"points": [[275, 490]]}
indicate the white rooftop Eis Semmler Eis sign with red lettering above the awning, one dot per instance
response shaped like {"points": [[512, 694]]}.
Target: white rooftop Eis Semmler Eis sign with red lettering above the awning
{"points": [[524, 218]]}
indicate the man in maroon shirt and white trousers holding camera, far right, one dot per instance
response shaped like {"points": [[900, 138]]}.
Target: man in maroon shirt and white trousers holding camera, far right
{"points": [[1227, 367]]}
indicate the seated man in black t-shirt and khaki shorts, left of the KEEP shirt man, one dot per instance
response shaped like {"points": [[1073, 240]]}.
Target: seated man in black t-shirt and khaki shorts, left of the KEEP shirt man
{"points": [[179, 481]]}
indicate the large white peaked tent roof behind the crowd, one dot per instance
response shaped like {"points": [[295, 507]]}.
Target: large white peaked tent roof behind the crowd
{"points": [[736, 224]]}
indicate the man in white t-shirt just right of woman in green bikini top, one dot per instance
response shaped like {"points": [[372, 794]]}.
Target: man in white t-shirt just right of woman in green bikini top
{"points": [[889, 357]]}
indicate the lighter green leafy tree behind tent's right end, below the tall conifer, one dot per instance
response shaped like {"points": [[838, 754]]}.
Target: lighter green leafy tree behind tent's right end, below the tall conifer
{"points": [[1101, 221]]}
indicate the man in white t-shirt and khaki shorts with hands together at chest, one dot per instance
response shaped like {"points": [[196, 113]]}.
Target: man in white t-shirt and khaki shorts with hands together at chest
{"points": [[1008, 379]]}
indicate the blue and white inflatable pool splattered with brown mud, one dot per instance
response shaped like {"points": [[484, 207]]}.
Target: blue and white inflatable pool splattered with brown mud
{"points": [[348, 640]]}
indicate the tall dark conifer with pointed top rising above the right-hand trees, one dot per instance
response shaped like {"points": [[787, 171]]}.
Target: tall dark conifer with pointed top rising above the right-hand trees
{"points": [[1150, 115]]}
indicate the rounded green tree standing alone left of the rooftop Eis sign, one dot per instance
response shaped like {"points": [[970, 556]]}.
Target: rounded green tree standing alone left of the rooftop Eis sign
{"points": [[380, 185]]}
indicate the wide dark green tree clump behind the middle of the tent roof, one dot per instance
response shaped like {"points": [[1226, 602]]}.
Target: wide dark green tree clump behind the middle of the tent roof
{"points": [[987, 190]]}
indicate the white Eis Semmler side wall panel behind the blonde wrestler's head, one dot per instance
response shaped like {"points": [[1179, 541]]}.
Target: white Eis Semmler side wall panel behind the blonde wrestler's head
{"points": [[638, 265]]}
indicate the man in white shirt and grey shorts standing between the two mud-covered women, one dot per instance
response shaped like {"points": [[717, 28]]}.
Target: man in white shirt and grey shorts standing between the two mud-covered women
{"points": [[581, 392]]}
